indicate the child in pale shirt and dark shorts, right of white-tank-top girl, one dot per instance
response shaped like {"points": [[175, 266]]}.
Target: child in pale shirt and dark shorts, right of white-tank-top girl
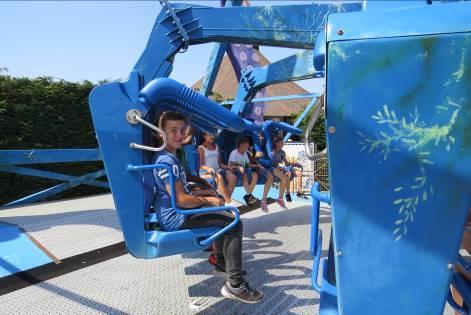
{"points": [[240, 163]]}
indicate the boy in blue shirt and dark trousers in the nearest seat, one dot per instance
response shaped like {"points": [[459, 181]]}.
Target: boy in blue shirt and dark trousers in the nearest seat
{"points": [[230, 244]]}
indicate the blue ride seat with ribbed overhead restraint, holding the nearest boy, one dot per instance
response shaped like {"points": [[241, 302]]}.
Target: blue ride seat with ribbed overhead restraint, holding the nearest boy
{"points": [[115, 108]]}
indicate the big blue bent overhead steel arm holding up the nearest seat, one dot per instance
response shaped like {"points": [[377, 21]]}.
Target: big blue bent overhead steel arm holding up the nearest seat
{"points": [[294, 26]]}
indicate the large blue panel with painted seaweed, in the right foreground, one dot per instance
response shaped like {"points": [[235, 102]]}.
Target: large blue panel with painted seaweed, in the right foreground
{"points": [[399, 161]]}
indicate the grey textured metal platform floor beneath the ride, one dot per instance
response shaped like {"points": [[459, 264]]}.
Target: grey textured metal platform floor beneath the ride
{"points": [[276, 258]]}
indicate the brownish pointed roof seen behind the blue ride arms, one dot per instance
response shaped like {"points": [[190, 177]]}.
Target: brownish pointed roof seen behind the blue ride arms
{"points": [[226, 86]]}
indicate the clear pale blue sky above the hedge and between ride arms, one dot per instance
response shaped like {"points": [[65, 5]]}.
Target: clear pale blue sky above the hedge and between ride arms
{"points": [[88, 40]]}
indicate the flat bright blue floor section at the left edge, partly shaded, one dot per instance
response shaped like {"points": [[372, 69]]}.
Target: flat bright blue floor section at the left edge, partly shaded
{"points": [[17, 252]]}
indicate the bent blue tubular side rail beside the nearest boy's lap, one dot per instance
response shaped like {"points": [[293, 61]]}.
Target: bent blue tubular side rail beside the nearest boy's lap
{"points": [[186, 212]]}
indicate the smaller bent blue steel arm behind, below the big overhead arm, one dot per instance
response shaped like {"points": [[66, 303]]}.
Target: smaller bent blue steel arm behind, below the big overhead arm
{"points": [[293, 68]]}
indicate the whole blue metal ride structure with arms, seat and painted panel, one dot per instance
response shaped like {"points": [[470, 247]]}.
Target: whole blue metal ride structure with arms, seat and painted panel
{"points": [[398, 119]]}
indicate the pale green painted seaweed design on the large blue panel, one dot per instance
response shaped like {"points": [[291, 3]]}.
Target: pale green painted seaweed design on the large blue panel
{"points": [[414, 135]]}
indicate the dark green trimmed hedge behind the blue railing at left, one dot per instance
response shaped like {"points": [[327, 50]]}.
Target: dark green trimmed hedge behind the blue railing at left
{"points": [[45, 113]]}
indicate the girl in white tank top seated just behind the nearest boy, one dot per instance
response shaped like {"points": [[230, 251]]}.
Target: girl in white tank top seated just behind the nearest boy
{"points": [[211, 164]]}
